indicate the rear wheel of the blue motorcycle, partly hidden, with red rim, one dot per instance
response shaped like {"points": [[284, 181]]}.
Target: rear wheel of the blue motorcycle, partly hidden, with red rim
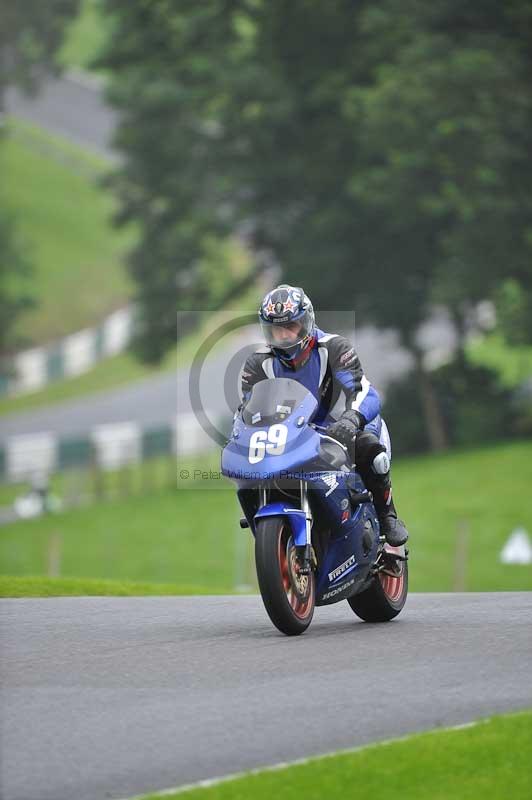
{"points": [[386, 596]]}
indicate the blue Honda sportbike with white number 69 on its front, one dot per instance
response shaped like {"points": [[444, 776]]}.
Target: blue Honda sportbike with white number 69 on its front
{"points": [[317, 536]]}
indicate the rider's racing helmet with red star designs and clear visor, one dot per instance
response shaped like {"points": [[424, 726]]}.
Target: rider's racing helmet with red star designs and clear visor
{"points": [[287, 323]]}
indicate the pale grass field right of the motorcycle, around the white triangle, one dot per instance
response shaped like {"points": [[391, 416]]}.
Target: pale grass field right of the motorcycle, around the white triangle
{"points": [[483, 492]]}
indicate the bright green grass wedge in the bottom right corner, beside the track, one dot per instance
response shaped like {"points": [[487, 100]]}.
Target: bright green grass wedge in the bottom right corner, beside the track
{"points": [[489, 760]]}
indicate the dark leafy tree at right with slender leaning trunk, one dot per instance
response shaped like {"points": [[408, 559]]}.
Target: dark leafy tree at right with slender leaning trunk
{"points": [[452, 186]]}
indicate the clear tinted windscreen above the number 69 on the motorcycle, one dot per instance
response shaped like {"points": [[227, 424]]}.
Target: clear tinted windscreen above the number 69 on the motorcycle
{"points": [[273, 400]]}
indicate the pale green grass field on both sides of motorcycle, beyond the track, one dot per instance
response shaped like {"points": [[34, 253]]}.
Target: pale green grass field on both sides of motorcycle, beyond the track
{"points": [[191, 536]]}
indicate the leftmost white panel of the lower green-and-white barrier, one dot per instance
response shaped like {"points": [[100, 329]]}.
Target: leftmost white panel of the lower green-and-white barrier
{"points": [[30, 455]]}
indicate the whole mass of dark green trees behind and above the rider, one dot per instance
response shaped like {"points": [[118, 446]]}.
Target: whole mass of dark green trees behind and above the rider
{"points": [[380, 152]]}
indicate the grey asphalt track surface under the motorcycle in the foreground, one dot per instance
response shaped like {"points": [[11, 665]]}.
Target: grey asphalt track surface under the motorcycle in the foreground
{"points": [[109, 697]]}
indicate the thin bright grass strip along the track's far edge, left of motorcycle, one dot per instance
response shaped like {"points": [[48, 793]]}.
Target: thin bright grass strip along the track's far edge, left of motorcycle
{"points": [[40, 586]]}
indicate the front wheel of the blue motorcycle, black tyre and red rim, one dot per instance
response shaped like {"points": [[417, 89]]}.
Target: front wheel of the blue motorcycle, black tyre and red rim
{"points": [[288, 596]]}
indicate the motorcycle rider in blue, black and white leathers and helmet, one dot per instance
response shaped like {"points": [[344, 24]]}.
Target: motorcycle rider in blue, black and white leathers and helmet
{"points": [[348, 405]]}
